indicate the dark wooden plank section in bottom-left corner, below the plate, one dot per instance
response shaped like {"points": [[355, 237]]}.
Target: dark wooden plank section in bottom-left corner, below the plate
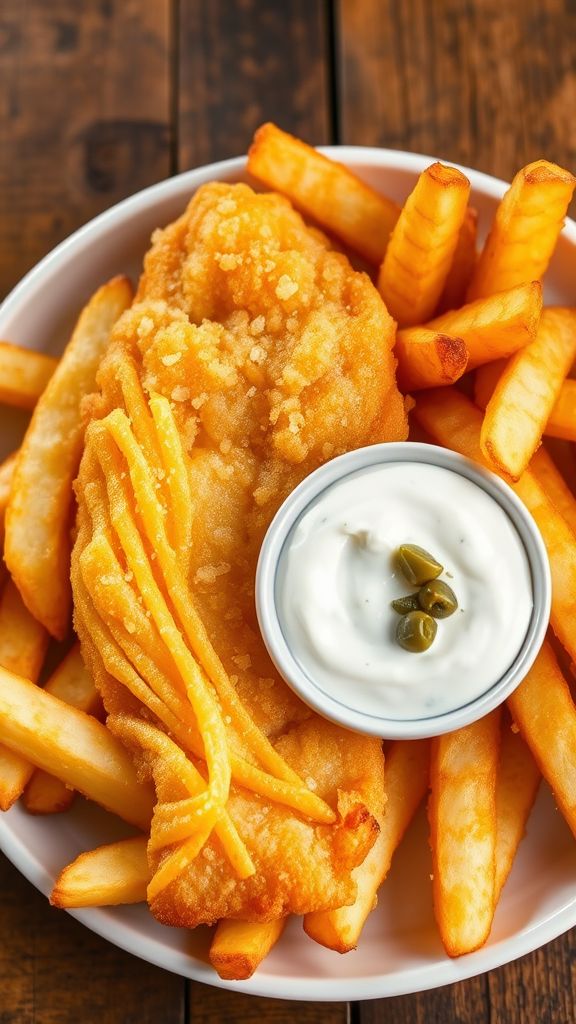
{"points": [[55, 971]]}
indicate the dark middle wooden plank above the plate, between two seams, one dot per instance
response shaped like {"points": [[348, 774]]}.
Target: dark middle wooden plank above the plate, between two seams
{"points": [[245, 63]]}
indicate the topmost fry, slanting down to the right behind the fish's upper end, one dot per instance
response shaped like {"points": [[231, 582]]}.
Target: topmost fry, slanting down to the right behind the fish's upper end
{"points": [[324, 190]]}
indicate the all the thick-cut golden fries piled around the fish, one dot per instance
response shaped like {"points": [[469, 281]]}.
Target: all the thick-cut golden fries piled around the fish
{"points": [[462, 318]]}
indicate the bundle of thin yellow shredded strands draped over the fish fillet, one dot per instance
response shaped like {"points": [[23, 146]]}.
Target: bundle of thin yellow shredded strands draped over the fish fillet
{"points": [[137, 606]]}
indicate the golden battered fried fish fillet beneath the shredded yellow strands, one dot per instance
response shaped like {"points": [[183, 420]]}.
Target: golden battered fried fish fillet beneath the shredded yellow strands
{"points": [[275, 356]]}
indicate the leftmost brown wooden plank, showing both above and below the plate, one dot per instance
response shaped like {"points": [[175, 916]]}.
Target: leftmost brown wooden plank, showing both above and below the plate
{"points": [[86, 108]]}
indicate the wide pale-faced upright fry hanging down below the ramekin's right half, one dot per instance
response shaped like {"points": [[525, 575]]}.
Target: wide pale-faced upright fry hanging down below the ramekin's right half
{"points": [[463, 819]]}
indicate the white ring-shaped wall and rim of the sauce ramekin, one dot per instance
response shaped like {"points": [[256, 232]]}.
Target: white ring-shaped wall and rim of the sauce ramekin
{"points": [[271, 624]]}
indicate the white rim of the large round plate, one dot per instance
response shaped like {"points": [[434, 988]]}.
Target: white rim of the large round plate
{"points": [[101, 921]]}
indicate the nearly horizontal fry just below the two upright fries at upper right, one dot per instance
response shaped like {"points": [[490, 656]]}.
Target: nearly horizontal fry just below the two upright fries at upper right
{"points": [[490, 328]]}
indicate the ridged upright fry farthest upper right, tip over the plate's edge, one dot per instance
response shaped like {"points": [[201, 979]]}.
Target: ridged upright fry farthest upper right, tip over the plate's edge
{"points": [[525, 231]]}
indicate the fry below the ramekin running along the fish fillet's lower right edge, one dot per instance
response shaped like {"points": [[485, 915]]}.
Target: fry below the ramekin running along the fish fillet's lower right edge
{"points": [[406, 785]]}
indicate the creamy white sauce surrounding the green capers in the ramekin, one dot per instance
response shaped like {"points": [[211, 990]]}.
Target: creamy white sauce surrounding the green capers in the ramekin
{"points": [[337, 579]]}
